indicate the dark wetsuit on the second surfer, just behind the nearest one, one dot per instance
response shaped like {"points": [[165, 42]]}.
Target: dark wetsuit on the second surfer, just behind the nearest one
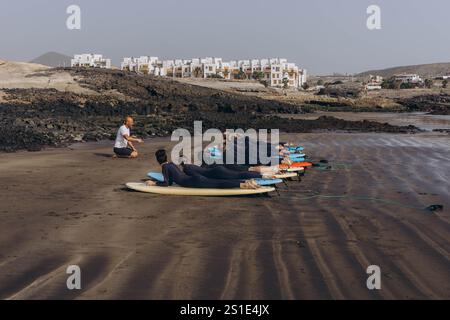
{"points": [[219, 172]]}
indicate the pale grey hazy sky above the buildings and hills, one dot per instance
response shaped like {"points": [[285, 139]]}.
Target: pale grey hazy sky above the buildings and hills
{"points": [[323, 36]]}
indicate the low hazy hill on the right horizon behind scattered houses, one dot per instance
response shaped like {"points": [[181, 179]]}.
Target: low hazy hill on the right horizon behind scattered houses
{"points": [[424, 70]]}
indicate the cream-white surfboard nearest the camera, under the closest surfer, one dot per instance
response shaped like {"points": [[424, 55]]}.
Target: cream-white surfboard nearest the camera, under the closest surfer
{"points": [[206, 192]]}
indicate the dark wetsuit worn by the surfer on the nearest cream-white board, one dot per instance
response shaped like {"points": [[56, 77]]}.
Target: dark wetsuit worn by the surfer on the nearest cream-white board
{"points": [[173, 174]]}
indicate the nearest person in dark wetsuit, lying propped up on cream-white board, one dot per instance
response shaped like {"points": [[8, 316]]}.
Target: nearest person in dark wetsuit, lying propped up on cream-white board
{"points": [[173, 174]]}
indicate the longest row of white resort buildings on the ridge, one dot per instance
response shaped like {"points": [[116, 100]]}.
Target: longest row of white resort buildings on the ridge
{"points": [[275, 72]]}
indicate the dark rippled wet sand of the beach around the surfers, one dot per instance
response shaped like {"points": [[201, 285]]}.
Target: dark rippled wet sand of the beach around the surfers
{"points": [[68, 206]]}
